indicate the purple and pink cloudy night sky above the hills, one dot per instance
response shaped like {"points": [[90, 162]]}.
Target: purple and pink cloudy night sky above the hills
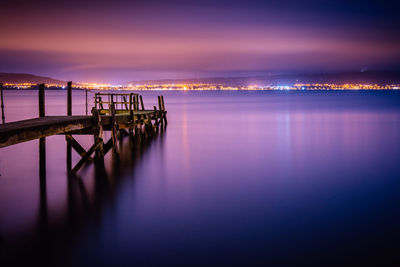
{"points": [[119, 41]]}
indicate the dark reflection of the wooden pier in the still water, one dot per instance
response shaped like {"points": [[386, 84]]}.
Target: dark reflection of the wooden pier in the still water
{"points": [[50, 238]]}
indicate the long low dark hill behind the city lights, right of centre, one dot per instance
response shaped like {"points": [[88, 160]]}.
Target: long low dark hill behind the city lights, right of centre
{"points": [[369, 77]]}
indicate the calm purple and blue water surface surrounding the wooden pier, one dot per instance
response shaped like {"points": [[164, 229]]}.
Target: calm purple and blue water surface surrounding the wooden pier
{"points": [[281, 178]]}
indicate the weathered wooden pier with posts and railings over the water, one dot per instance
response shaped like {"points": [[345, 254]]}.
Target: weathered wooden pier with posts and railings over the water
{"points": [[121, 114]]}
